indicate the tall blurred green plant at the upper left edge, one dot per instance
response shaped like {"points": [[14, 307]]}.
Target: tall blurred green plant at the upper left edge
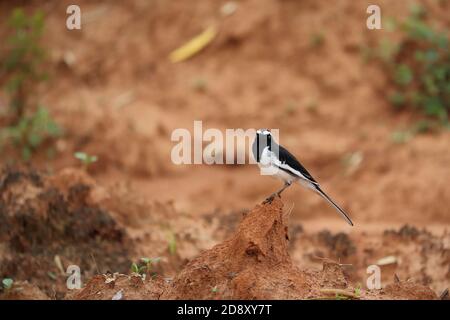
{"points": [[29, 125]]}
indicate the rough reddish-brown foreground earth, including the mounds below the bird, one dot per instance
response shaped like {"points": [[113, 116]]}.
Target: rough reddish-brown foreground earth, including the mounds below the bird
{"points": [[262, 253]]}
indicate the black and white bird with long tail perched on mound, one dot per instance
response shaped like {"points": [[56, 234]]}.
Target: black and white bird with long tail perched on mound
{"points": [[276, 161]]}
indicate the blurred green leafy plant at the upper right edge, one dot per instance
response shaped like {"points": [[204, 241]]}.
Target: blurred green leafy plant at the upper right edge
{"points": [[418, 65]]}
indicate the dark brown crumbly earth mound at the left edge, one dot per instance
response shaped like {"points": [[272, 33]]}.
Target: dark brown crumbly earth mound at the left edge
{"points": [[47, 224]]}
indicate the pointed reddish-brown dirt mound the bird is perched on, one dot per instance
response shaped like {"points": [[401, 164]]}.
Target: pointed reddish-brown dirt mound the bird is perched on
{"points": [[253, 264]]}
